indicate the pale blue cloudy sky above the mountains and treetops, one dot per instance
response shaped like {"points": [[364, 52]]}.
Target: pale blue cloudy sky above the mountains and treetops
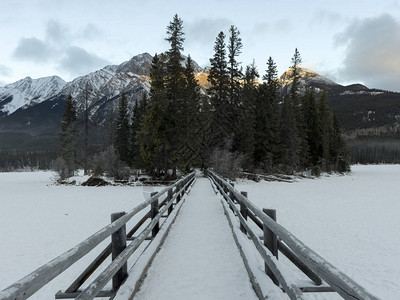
{"points": [[347, 41]]}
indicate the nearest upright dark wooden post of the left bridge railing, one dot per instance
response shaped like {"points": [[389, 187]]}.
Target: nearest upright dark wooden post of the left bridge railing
{"points": [[118, 244]]}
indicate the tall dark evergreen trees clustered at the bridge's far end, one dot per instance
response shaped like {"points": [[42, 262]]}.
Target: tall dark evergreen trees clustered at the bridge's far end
{"points": [[238, 123]]}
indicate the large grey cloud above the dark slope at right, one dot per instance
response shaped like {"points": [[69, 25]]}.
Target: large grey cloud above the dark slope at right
{"points": [[372, 52]]}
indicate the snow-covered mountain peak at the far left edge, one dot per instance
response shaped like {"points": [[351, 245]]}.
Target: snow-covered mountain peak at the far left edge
{"points": [[28, 92]]}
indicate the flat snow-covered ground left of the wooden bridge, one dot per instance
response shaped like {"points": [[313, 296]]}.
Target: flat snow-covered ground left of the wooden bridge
{"points": [[39, 221]]}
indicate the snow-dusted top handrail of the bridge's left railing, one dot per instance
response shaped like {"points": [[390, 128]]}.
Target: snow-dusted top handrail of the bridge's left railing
{"points": [[30, 284]]}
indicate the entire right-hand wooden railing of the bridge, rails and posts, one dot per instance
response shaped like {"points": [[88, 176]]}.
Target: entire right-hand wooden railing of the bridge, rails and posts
{"points": [[276, 237]]}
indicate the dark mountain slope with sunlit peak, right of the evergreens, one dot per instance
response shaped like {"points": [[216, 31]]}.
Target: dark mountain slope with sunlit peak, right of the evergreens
{"points": [[359, 109]]}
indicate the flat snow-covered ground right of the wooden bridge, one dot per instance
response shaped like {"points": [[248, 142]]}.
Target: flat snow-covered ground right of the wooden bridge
{"points": [[352, 221]]}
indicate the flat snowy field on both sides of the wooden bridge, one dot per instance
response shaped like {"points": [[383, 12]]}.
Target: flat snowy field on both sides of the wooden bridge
{"points": [[352, 221]]}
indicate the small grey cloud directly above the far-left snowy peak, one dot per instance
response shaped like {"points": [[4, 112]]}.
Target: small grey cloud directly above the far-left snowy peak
{"points": [[32, 49]]}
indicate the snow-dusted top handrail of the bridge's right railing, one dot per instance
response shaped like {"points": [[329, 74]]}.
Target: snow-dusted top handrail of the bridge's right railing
{"points": [[340, 282]]}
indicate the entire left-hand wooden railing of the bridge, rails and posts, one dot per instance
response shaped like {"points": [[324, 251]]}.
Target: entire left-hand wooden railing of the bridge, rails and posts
{"points": [[117, 270]]}
